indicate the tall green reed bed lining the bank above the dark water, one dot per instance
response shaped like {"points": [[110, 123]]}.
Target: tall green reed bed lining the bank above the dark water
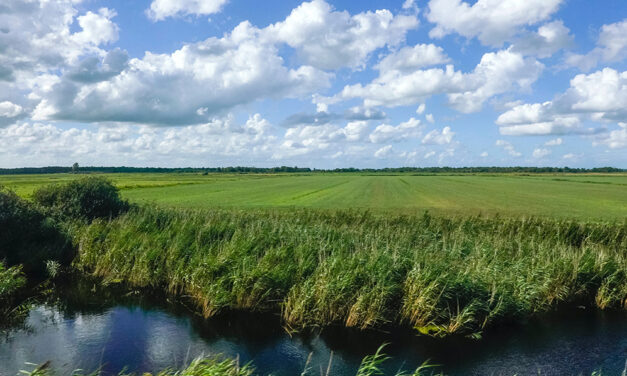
{"points": [[441, 275]]}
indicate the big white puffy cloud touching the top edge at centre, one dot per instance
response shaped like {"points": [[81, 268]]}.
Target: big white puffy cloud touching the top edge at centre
{"points": [[329, 39]]}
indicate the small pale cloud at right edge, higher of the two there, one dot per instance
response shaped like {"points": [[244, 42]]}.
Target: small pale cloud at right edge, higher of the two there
{"points": [[611, 47]]}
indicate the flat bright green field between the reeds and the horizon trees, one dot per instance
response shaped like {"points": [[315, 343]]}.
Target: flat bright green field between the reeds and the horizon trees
{"points": [[585, 196]]}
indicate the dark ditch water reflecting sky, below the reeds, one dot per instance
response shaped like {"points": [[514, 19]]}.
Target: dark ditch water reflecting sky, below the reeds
{"points": [[88, 330]]}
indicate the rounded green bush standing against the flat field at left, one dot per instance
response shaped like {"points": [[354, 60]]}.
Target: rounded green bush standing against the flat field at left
{"points": [[87, 198]]}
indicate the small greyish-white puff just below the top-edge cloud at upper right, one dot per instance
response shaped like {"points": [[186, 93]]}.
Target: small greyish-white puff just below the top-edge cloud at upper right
{"points": [[549, 39]]}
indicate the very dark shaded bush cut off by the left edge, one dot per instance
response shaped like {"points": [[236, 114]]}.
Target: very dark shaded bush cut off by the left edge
{"points": [[27, 236]]}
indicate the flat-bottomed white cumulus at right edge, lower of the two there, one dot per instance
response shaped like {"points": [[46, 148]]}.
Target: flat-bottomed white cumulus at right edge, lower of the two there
{"points": [[599, 96]]}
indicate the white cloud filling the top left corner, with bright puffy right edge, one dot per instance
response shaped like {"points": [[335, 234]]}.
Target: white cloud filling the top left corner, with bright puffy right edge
{"points": [[37, 36]]}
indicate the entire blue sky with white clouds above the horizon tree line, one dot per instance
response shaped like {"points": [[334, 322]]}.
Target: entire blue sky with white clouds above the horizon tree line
{"points": [[320, 84]]}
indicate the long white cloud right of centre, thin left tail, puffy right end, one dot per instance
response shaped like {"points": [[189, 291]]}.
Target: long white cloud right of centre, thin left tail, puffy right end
{"points": [[496, 73]]}
